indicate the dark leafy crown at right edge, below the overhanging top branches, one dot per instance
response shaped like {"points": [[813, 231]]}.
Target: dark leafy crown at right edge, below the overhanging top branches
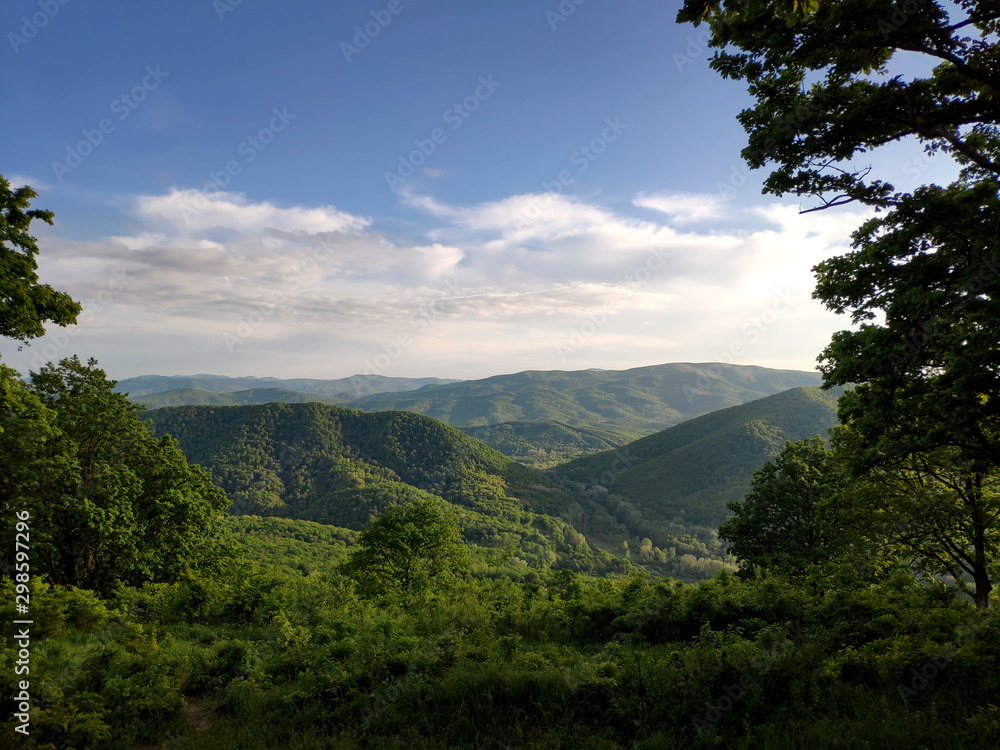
{"points": [[922, 283]]}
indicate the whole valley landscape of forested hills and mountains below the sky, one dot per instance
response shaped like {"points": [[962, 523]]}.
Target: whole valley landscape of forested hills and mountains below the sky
{"points": [[654, 502]]}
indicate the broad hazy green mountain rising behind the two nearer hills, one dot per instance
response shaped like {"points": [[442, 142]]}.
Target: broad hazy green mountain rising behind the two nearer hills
{"points": [[542, 418]]}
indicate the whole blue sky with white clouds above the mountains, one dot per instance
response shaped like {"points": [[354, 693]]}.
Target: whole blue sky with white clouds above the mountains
{"points": [[264, 188]]}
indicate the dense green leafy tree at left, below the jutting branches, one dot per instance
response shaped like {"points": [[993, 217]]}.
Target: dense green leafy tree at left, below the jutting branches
{"points": [[109, 503]]}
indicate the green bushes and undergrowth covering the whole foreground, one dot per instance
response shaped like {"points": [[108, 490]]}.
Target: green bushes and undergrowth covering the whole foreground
{"points": [[577, 661]]}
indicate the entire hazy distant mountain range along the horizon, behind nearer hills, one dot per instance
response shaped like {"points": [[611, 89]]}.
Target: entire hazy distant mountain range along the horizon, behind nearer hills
{"points": [[540, 418]]}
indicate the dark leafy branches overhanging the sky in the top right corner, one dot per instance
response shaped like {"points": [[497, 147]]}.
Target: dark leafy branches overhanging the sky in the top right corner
{"points": [[824, 77]]}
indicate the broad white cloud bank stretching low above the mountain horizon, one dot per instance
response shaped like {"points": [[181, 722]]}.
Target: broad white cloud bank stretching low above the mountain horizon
{"points": [[489, 287]]}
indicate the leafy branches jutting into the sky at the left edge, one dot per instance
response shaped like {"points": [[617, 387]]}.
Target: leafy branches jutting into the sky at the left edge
{"points": [[25, 305]]}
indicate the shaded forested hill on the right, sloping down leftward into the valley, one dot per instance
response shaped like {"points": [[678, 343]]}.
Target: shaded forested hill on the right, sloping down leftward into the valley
{"points": [[687, 474]]}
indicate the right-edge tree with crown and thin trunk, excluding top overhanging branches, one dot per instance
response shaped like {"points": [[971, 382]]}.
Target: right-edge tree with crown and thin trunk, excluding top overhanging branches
{"points": [[923, 287]]}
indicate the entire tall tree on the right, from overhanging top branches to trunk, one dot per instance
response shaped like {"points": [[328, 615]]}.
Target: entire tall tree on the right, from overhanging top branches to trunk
{"points": [[921, 284]]}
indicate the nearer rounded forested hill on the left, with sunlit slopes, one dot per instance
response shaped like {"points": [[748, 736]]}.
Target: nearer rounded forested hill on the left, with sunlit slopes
{"points": [[339, 466]]}
